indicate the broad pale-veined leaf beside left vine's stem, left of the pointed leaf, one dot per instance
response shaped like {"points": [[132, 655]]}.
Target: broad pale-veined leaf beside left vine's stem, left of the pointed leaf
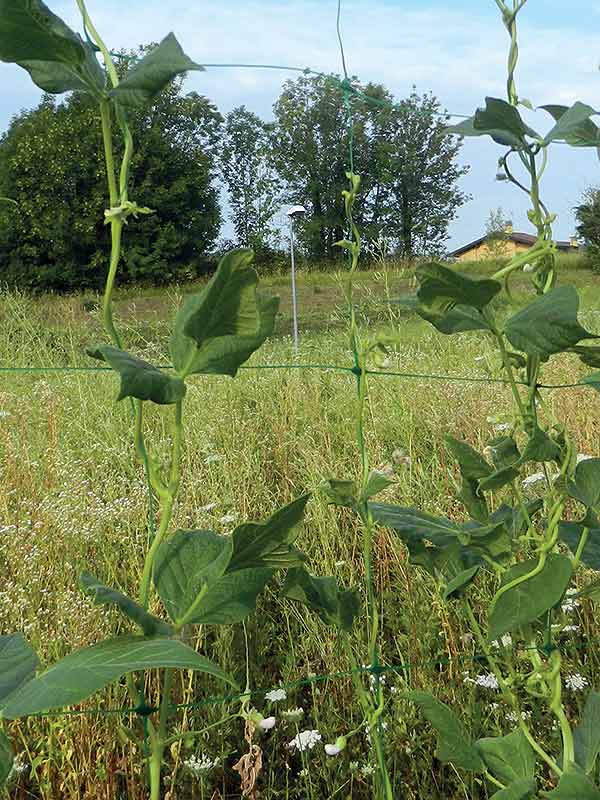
{"points": [[186, 567]]}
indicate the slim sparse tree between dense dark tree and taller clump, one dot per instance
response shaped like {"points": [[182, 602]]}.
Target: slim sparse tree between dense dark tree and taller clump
{"points": [[252, 185]]}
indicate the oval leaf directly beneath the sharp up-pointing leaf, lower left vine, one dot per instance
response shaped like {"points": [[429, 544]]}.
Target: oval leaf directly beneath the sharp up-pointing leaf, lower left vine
{"points": [[232, 598]]}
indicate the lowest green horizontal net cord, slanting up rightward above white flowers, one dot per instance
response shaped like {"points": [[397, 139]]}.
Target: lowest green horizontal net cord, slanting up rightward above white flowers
{"points": [[320, 678]]}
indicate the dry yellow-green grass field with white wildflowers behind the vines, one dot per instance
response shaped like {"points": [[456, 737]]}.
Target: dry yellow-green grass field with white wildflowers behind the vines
{"points": [[72, 497]]}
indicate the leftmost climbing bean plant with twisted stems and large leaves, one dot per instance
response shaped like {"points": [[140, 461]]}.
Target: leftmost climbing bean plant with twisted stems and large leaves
{"points": [[189, 578]]}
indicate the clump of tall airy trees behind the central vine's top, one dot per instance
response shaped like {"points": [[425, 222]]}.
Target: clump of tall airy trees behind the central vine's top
{"points": [[408, 165]]}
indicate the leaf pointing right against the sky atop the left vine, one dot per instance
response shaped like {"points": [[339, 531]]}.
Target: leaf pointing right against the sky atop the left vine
{"points": [[146, 80]]}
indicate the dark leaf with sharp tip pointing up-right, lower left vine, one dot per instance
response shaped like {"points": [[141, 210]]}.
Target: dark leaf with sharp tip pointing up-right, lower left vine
{"points": [[268, 544]]}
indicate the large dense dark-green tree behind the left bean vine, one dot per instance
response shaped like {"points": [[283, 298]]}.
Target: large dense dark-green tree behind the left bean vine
{"points": [[52, 165]]}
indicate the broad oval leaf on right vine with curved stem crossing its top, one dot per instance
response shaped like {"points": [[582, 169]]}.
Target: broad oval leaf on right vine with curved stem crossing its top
{"points": [[529, 600]]}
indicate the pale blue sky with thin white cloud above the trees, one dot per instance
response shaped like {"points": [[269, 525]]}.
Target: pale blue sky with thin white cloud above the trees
{"points": [[455, 49]]}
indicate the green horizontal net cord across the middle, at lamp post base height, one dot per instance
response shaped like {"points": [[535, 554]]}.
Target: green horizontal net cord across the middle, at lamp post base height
{"points": [[324, 368]]}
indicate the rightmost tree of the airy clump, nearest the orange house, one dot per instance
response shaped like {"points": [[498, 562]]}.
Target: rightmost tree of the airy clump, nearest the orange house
{"points": [[422, 172]]}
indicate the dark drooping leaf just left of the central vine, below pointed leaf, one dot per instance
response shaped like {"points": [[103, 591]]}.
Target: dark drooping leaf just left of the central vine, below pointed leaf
{"points": [[334, 606]]}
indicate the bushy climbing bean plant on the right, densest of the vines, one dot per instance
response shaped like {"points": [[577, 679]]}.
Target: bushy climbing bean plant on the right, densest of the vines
{"points": [[530, 549]]}
